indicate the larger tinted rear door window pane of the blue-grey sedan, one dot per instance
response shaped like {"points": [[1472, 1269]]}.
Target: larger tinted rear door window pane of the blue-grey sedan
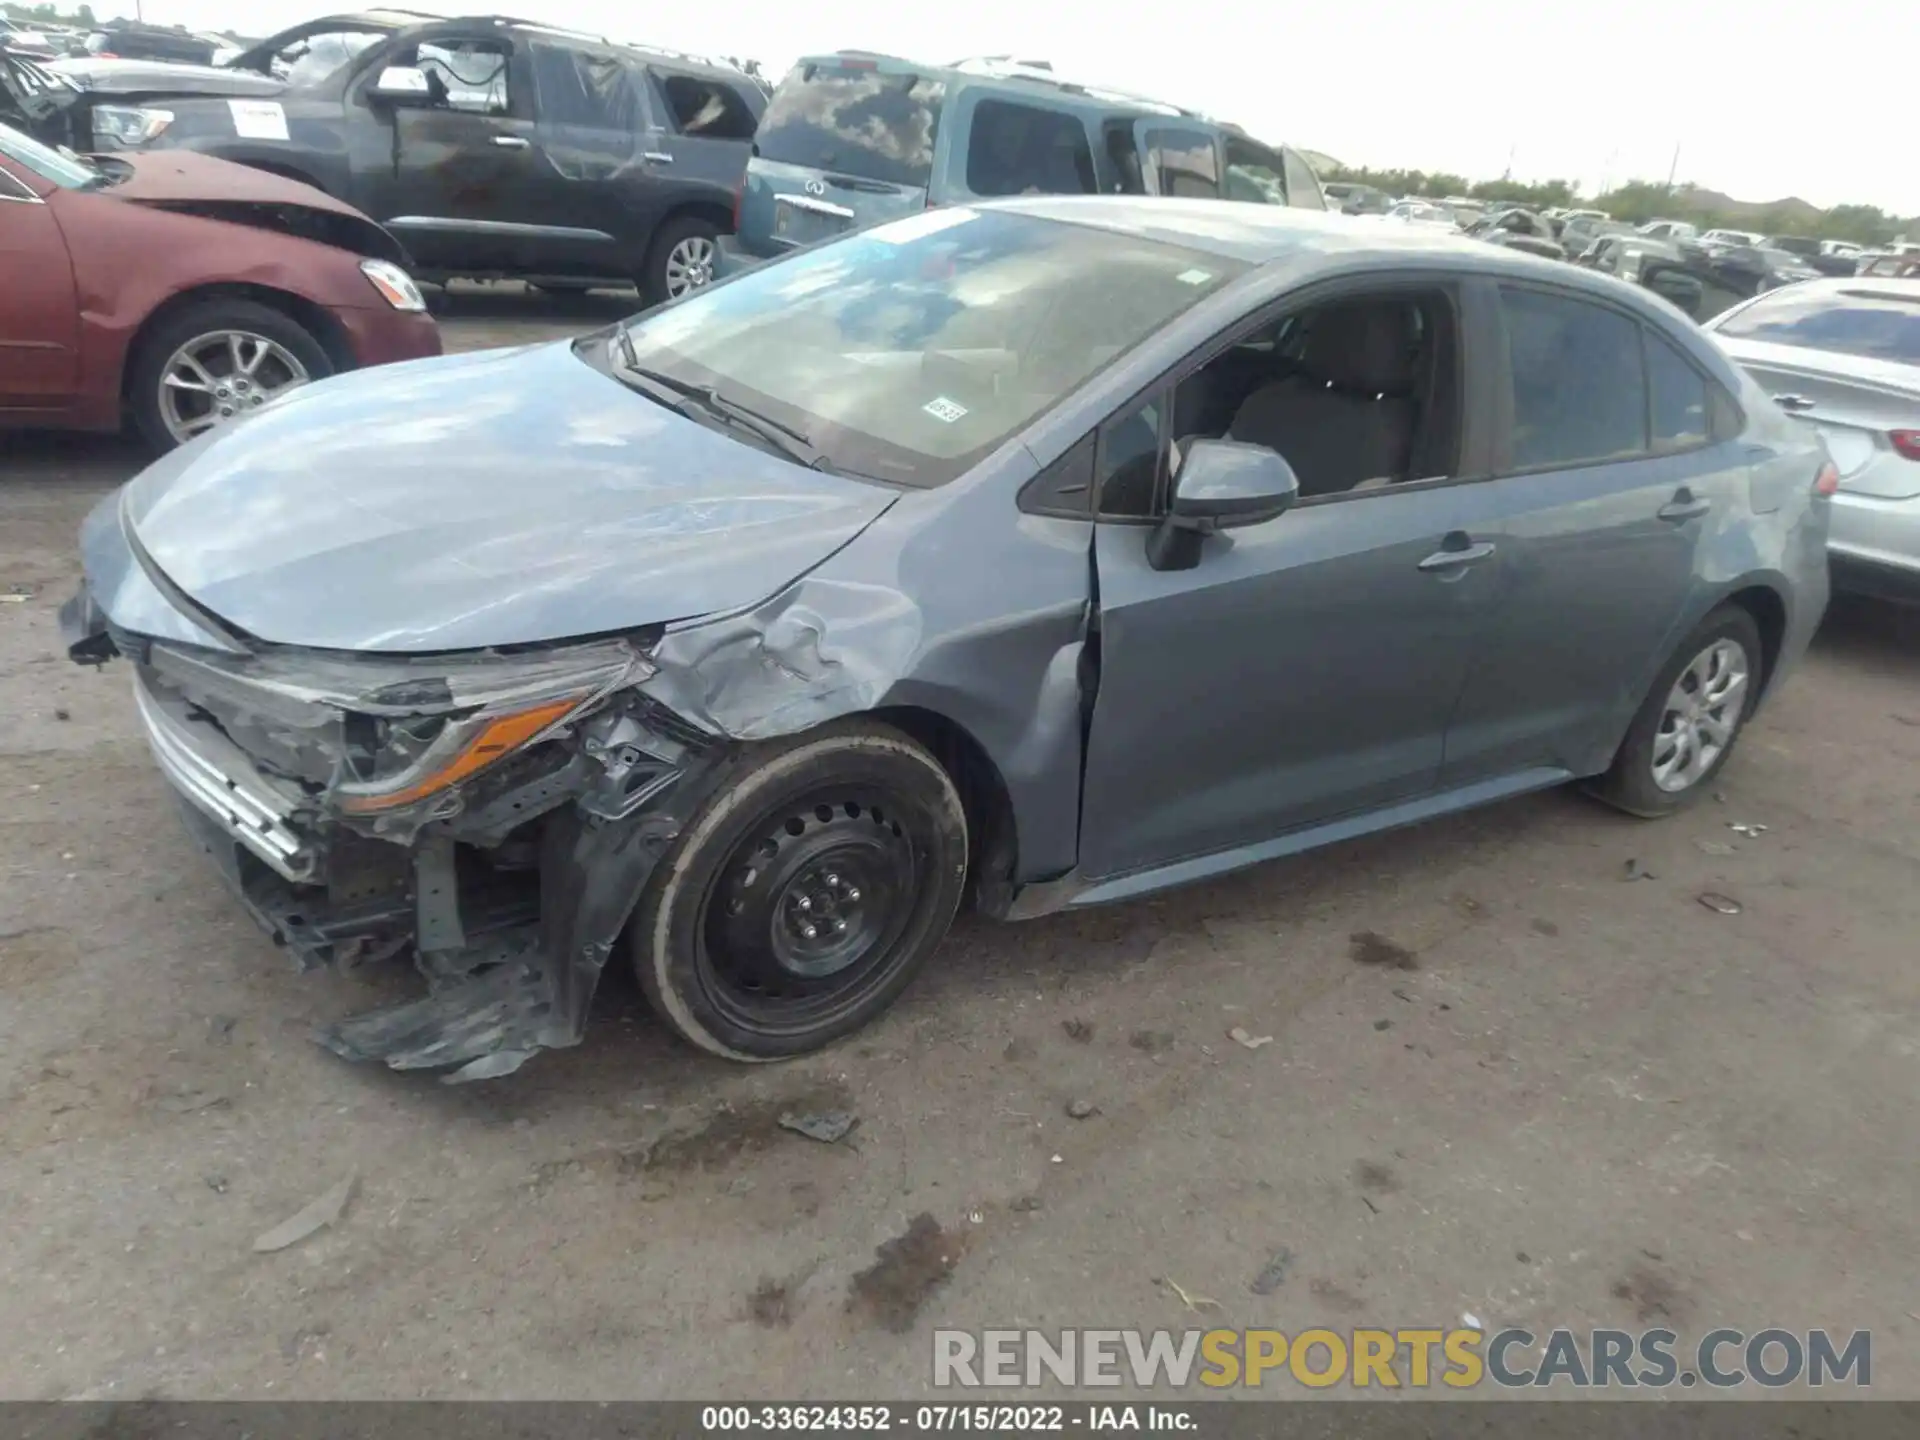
{"points": [[1579, 385]]}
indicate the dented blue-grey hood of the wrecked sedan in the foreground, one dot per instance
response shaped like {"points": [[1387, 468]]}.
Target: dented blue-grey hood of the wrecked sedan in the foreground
{"points": [[502, 498]]}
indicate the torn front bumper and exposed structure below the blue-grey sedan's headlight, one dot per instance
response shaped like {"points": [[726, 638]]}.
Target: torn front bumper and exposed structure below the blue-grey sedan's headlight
{"points": [[508, 890]]}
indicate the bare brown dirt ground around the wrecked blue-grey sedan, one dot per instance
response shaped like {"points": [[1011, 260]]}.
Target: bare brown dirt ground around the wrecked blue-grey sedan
{"points": [[1564, 1099]]}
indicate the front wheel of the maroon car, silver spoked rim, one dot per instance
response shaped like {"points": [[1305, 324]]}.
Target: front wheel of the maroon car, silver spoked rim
{"points": [[216, 364]]}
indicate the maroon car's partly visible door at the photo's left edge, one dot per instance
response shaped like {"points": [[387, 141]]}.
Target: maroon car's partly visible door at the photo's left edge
{"points": [[41, 322]]}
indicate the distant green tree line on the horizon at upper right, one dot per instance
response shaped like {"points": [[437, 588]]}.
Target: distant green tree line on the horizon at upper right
{"points": [[1646, 201]]}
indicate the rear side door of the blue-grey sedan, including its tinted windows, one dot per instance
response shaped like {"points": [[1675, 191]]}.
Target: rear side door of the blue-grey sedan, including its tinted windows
{"points": [[1620, 462]]}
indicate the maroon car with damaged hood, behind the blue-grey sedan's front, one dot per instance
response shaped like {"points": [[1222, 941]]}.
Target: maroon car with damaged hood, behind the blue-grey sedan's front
{"points": [[183, 291]]}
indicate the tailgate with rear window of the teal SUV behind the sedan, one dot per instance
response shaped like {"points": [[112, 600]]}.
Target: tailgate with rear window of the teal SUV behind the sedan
{"points": [[844, 145]]}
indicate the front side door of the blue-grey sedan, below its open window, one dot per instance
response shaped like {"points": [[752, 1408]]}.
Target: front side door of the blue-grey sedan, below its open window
{"points": [[1303, 671]]}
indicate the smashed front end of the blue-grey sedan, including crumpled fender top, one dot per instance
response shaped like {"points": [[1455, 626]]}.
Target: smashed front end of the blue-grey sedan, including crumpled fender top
{"points": [[512, 888]]}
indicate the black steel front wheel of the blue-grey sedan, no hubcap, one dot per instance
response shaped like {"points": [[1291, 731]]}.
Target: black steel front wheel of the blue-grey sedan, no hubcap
{"points": [[804, 896]]}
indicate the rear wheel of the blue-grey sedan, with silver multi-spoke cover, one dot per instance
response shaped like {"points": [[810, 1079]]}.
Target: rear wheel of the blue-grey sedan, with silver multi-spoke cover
{"points": [[1687, 729]]}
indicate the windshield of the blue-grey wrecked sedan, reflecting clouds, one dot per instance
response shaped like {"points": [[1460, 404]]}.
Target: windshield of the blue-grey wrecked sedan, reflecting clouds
{"points": [[913, 350]]}
